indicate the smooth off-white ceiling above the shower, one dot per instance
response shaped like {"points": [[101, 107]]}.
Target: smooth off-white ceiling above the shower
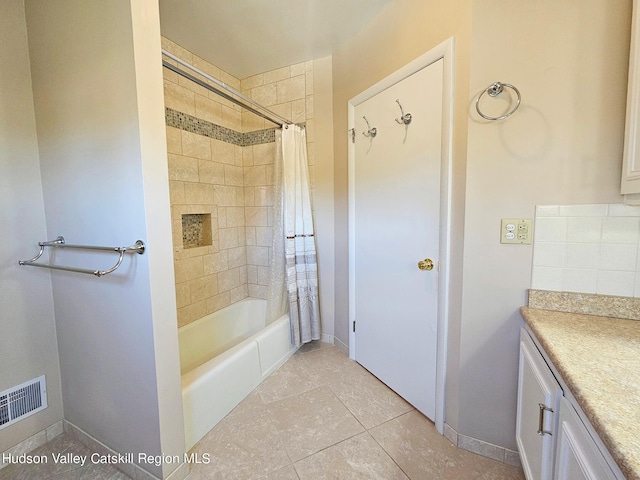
{"points": [[247, 37]]}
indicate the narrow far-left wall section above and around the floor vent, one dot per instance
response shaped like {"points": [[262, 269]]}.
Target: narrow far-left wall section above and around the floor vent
{"points": [[28, 340]]}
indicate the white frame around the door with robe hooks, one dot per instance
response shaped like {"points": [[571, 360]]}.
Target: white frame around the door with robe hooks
{"points": [[444, 51]]}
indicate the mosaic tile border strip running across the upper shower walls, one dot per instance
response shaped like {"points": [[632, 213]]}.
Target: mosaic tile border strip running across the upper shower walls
{"points": [[189, 123]]}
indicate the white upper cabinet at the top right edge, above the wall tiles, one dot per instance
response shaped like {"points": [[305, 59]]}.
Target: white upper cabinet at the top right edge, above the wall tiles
{"points": [[630, 185]]}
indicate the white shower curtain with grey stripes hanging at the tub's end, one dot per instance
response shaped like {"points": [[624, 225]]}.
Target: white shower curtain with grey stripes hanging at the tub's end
{"points": [[294, 262]]}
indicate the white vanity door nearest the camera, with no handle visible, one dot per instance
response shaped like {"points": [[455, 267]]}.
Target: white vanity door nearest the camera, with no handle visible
{"points": [[578, 457]]}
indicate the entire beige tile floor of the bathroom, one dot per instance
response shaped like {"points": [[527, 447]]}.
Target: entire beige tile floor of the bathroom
{"points": [[320, 416]]}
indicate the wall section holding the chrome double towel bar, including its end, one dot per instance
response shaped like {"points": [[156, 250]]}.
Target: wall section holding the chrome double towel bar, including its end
{"points": [[98, 95]]}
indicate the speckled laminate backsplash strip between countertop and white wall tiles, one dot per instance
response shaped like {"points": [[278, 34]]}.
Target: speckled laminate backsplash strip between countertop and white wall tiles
{"points": [[586, 303]]}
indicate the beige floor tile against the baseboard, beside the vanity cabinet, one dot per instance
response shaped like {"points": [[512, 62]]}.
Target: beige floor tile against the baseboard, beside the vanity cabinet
{"points": [[412, 441]]}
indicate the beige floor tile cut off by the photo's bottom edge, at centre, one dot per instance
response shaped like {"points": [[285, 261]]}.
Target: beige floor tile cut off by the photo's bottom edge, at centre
{"points": [[359, 457]]}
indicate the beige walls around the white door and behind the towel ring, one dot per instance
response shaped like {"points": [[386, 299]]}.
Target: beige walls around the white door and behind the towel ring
{"points": [[563, 146]]}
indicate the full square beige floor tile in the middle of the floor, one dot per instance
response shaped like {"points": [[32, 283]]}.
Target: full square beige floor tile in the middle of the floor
{"points": [[311, 421]]}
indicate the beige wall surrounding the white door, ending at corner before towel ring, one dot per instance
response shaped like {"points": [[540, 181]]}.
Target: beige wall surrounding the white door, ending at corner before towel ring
{"points": [[404, 30]]}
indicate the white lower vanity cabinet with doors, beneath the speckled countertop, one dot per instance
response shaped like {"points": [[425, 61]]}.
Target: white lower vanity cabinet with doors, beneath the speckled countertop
{"points": [[553, 441]]}
